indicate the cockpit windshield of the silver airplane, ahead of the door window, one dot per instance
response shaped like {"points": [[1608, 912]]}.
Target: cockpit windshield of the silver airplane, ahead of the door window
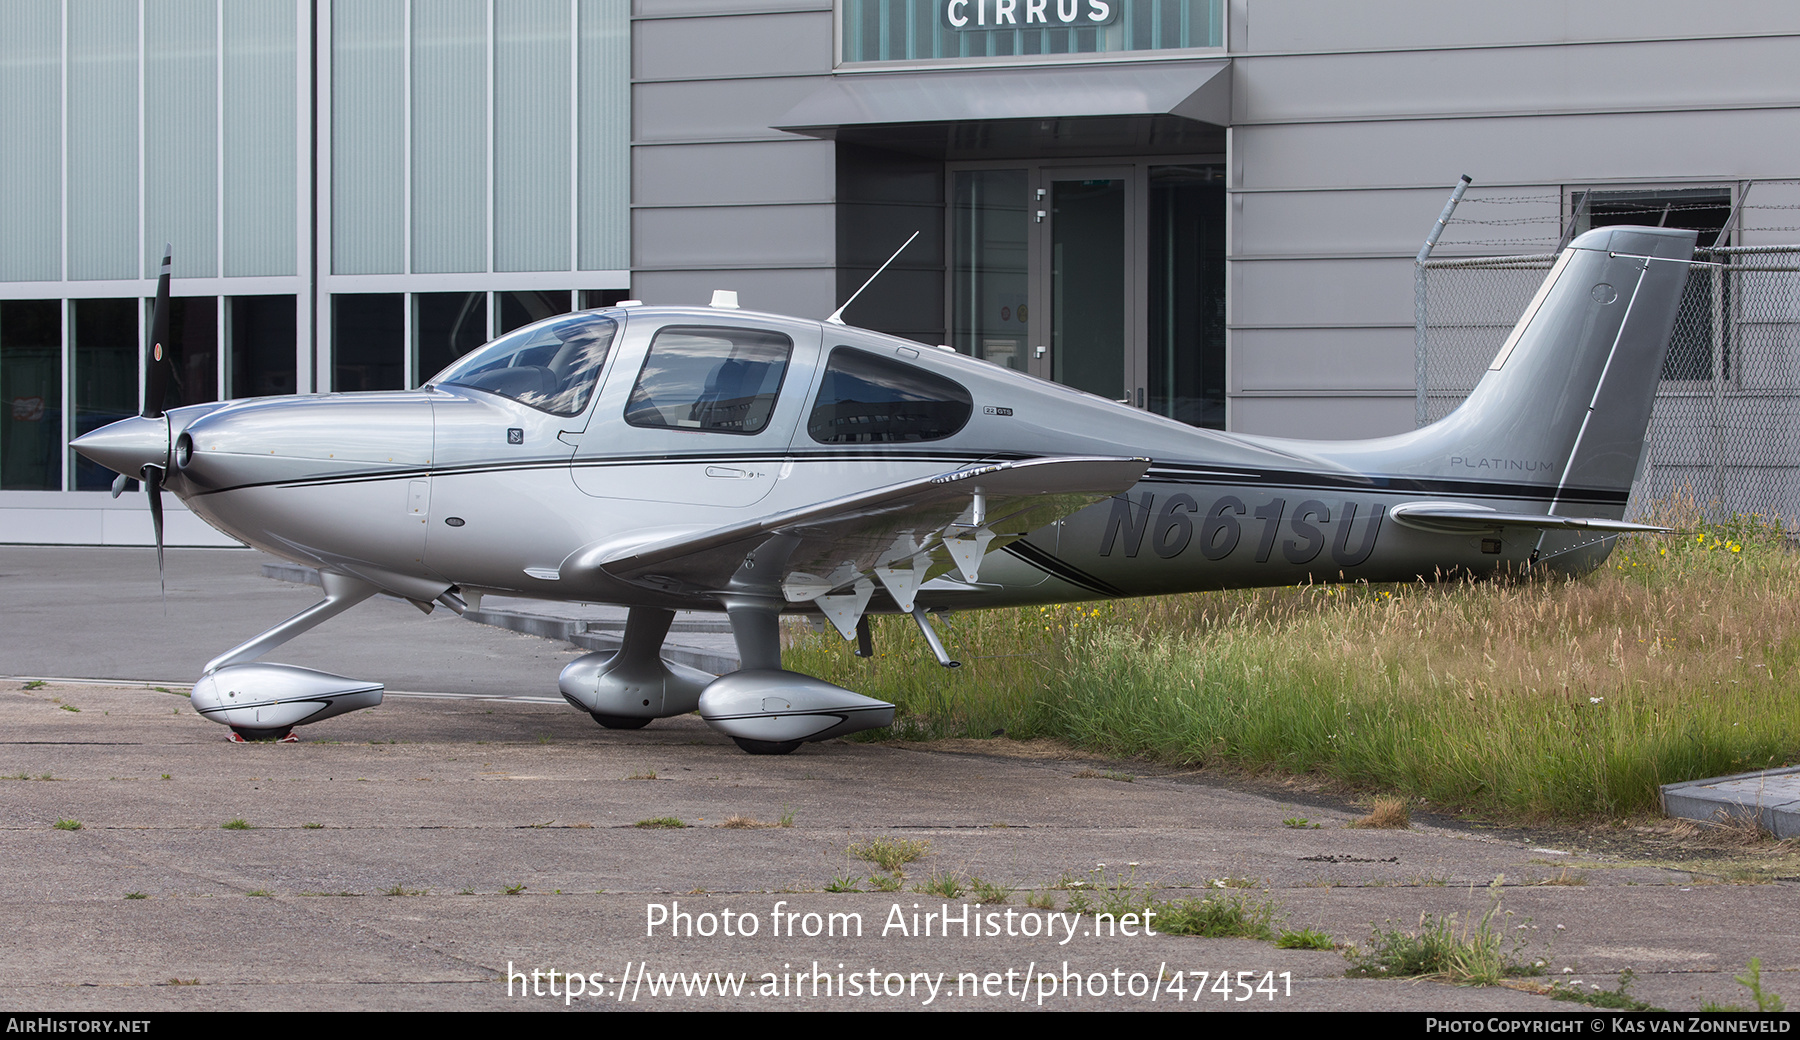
{"points": [[550, 366]]}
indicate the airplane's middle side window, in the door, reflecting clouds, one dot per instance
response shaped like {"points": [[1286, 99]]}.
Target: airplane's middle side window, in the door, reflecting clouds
{"points": [[715, 381]]}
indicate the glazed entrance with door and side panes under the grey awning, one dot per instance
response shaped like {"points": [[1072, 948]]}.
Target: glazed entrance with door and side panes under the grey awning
{"points": [[1102, 278]]}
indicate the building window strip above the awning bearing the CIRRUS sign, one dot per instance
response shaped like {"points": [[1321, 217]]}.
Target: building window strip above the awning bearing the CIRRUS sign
{"points": [[975, 30]]}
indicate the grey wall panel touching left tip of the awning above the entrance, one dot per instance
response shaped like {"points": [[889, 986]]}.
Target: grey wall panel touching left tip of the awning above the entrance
{"points": [[719, 111]]}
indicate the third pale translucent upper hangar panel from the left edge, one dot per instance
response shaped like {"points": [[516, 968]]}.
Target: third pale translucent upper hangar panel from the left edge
{"points": [[181, 138]]}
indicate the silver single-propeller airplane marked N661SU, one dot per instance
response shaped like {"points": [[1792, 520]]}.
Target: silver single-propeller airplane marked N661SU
{"points": [[721, 460]]}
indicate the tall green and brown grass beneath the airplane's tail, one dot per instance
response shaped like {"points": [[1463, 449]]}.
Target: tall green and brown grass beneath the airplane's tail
{"points": [[1525, 699]]}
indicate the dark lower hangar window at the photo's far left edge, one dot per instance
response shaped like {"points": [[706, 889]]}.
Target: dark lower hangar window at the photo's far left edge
{"points": [[31, 391]]}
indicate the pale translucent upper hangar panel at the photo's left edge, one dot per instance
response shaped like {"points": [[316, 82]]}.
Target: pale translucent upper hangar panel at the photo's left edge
{"points": [[31, 143]]}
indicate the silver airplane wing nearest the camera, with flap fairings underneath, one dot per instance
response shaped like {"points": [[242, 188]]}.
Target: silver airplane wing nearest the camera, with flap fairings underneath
{"points": [[901, 535]]}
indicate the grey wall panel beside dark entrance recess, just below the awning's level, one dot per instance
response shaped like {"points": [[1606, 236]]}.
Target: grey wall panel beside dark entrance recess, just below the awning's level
{"points": [[733, 174]]}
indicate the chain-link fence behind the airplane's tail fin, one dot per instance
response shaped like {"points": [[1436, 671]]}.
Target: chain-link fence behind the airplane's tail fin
{"points": [[1725, 424]]}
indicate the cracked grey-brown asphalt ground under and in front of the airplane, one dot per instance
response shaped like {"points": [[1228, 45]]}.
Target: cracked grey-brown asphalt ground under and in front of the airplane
{"points": [[442, 848]]}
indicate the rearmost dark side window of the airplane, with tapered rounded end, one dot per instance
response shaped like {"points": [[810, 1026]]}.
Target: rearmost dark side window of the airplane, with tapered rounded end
{"points": [[872, 400]]}
